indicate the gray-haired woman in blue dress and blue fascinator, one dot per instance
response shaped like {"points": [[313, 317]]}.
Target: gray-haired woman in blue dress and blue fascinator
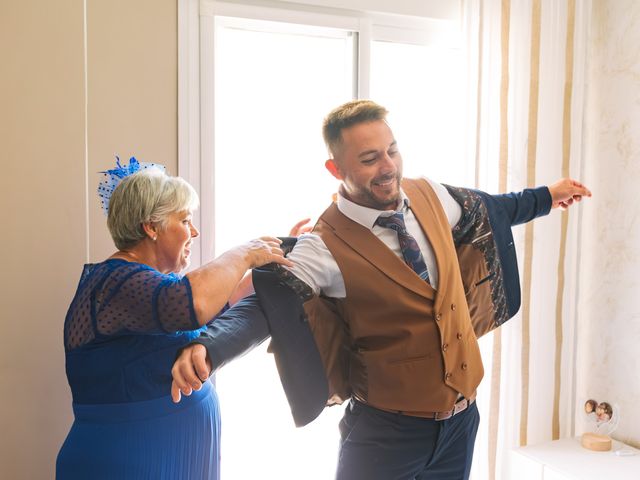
{"points": [[130, 315]]}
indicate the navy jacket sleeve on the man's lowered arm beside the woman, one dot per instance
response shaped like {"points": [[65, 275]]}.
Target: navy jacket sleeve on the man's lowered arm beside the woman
{"points": [[235, 332]]}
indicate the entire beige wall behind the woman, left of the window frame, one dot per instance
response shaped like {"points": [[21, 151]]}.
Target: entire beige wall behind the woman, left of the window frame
{"points": [[45, 216]]}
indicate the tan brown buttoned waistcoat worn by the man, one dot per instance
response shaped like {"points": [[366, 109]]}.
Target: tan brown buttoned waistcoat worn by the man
{"points": [[393, 341]]}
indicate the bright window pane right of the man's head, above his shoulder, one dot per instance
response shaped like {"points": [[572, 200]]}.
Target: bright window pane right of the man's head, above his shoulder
{"points": [[422, 87]]}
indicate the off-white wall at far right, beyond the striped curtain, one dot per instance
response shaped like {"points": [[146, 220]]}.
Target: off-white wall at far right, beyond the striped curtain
{"points": [[609, 309]]}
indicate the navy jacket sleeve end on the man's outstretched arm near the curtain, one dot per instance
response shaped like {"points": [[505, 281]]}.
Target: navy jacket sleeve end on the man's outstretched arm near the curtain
{"points": [[521, 207]]}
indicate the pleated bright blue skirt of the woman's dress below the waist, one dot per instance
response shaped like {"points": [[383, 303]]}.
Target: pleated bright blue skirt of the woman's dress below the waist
{"points": [[154, 439]]}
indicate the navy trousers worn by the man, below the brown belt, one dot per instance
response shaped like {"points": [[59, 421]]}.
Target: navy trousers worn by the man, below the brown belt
{"points": [[378, 445]]}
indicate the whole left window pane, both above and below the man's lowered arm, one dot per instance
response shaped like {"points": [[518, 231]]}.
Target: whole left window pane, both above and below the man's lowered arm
{"points": [[274, 85]]}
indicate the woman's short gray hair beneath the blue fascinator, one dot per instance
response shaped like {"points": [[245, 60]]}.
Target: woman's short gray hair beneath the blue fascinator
{"points": [[147, 196]]}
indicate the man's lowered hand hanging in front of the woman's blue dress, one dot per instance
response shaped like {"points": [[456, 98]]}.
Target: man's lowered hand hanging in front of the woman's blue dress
{"points": [[189, 371]]}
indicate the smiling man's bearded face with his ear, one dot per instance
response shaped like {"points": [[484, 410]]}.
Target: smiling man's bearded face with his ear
{"points": [[369, 164]]}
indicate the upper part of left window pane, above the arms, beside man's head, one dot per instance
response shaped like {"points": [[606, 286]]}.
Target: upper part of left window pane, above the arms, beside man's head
{"points": [[273, 90]]}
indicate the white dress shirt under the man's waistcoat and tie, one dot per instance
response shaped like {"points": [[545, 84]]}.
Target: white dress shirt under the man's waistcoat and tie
{"points": [[314, 264]]}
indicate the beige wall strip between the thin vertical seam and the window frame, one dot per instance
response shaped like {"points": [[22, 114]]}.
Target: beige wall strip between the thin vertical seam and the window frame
{"points": [[132, 76]]}
